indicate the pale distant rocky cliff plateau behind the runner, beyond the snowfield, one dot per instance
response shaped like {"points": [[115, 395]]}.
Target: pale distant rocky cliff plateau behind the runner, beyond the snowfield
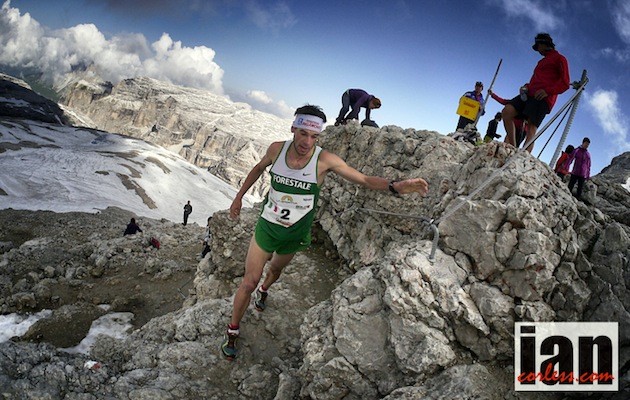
{"points": [[208, 130]]}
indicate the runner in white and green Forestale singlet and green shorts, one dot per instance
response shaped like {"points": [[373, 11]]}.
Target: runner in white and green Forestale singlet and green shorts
{"points": [[298, 170]]}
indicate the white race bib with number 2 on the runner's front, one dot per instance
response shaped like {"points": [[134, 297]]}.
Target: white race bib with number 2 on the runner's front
{"points": [[287, 209]]}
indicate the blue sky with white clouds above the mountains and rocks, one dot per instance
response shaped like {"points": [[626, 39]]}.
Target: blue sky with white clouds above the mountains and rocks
{"points": [[417, 56]]}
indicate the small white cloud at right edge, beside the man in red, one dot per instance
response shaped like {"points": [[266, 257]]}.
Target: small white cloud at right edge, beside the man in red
{"points": [[605, 108]]}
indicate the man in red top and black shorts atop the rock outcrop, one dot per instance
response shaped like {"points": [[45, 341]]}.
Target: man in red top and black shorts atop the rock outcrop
{"points": [[537, 98]]}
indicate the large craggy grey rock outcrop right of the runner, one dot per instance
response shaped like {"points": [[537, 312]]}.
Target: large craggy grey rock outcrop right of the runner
{"points": [[516, 246]]}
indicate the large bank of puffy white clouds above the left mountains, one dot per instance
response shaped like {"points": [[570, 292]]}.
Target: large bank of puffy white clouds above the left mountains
{"points": [[26, 44]]}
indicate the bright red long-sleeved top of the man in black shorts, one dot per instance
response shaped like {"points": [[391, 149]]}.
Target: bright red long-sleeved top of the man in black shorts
{"points": [[552, 75]]}
